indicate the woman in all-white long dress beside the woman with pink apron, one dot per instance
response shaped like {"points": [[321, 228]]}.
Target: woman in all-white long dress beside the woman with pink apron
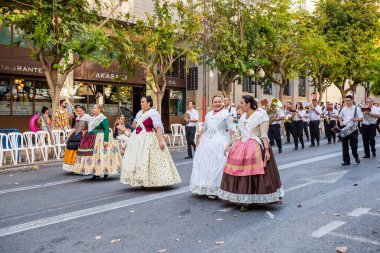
{"points": [[209, 159]]}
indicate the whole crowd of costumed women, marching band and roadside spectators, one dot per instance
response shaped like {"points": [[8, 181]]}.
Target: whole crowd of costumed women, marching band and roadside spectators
{"points": [[233, 157]]}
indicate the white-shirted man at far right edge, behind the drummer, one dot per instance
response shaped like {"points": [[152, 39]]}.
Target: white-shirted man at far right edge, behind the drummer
{"points": [[369, 128]]}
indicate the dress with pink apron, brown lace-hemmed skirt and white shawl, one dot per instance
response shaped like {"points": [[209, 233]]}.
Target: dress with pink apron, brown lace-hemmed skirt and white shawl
{"points": [[247, 179]]}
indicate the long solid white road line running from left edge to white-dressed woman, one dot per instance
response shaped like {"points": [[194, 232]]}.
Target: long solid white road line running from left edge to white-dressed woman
{"points": [[90, 211]]}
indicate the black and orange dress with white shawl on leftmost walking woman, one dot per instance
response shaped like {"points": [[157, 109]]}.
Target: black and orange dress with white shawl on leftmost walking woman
{"points": [[73, 141]]}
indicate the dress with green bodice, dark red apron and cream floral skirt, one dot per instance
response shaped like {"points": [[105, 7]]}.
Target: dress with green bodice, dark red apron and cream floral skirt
{"points": [[92, 157]]}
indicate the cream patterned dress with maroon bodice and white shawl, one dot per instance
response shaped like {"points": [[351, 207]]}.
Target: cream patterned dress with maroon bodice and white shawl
{"points": [[144, 162]]}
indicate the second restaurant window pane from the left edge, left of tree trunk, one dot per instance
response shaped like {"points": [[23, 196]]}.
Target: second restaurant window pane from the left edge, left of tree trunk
{"points": [[22, 92]]}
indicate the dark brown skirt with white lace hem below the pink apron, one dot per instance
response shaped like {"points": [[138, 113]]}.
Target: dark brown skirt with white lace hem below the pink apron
{"points": [[255, 189]]}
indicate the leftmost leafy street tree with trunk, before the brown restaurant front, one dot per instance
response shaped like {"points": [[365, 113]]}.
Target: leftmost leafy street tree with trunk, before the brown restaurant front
{"points": [[60, 34]]}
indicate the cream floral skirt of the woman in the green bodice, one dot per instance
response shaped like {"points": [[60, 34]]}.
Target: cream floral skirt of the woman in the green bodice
{"points": [[103, 161]]}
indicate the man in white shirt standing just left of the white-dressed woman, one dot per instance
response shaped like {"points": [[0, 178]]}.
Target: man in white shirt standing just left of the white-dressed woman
{"points": [[191, 128]]}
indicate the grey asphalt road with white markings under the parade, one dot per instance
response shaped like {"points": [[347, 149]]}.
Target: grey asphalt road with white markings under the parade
{"points": [[326, 206]]}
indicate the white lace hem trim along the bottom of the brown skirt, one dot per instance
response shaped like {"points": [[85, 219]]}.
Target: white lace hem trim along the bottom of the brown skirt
{"points": [[252, 198]]}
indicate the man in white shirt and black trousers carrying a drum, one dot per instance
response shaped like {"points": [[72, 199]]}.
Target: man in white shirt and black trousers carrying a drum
{"points": [[350, 114]]}
